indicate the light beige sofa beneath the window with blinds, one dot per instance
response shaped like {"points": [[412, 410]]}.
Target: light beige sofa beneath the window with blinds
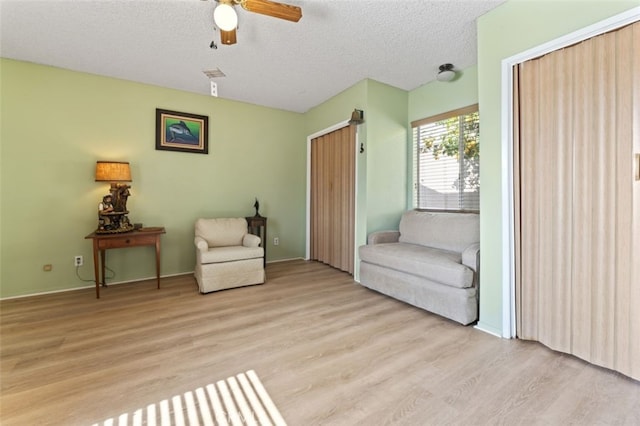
{"points": [[431, 262]]}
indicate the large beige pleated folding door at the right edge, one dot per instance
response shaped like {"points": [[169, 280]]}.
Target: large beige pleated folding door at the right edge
{"points": [[577, 139]]}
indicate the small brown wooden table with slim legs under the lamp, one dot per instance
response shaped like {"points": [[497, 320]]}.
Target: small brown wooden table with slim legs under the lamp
{"points": [[103, 242]]}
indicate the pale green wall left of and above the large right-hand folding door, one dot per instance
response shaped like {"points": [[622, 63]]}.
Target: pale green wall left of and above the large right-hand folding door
{"points": [[512, 28]]}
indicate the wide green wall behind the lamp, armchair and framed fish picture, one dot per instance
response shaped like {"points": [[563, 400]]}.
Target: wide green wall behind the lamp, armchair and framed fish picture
{"points": [[56, 124]]}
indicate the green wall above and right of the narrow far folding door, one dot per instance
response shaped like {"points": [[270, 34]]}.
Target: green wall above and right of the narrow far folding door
{"points": [[382, 167]]}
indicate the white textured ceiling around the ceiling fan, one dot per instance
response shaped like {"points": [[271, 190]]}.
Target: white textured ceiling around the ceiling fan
{"points": [[276, 63]]}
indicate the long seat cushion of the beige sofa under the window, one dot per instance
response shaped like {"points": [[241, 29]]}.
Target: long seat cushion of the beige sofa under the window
{"points": [[436, 265]]}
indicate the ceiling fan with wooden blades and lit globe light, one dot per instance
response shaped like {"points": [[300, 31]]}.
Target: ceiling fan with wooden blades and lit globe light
{"points": [[226, 19]]}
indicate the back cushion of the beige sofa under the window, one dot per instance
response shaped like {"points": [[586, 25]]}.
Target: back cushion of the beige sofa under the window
{"points": [[446, 231]]}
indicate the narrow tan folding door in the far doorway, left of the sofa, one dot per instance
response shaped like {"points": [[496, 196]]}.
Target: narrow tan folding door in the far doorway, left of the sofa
{"points": [[332, 215]]}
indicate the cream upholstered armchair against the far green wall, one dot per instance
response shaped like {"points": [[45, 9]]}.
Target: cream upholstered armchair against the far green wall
{"points": [[227, 256]]}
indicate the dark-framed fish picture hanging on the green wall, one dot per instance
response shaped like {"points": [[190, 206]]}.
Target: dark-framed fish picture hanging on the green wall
{"points": [[181, 131]]}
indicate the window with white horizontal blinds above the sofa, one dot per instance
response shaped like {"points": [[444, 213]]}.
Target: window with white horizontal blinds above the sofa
{"points": [[447, 161]]}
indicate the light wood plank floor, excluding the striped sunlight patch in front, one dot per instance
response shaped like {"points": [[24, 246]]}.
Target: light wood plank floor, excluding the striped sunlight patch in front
{"points": [[329, 352]]}
